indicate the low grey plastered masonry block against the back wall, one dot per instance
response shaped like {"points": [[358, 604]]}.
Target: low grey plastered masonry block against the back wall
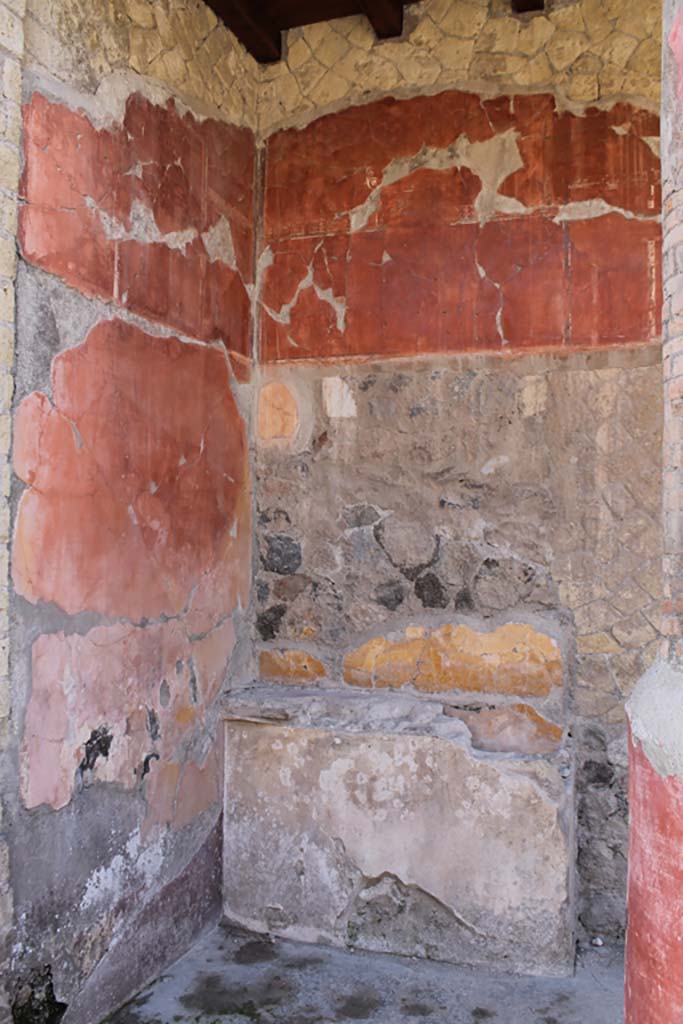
{"points": [[371, 823]]}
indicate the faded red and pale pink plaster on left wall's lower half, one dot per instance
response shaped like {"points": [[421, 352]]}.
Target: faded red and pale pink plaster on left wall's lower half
{"points": [[137, 507]]}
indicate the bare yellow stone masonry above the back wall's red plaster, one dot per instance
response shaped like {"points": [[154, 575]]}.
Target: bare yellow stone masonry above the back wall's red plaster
{"points": [[586, 52]]}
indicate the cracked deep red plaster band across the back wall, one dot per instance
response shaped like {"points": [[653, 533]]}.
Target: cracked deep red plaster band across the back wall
{"points": [[423, 270]]}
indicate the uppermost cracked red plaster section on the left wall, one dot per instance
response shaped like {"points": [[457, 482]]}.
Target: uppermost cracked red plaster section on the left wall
{"points": [[133, 230]]}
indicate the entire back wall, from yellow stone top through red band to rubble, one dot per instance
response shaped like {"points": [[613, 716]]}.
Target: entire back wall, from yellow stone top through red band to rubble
{"points": [[459, 421]]}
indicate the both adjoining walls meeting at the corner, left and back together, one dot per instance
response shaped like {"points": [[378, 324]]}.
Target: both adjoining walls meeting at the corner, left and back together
{"points": [[387, 500]]}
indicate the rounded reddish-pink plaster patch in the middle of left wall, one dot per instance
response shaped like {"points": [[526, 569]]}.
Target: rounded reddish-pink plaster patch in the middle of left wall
{"points": [[82, 523]]}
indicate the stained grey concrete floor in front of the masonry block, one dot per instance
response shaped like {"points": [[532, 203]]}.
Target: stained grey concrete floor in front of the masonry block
{"points": [[232, 977]]}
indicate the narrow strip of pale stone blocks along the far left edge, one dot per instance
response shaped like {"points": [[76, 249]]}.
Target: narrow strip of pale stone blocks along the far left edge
{"points": [[12, 49]]}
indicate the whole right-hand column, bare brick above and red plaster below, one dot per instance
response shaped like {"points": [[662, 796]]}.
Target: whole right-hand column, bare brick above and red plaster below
{"points": [[655, 937]]}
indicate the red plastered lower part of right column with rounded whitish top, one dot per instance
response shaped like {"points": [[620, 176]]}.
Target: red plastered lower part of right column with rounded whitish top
{"points": [[655, 937]]}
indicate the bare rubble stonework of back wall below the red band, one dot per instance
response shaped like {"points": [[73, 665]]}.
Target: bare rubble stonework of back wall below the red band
{"points": [[429, 527]]}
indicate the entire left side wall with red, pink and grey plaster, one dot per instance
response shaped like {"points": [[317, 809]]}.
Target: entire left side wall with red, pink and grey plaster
{"points": [[132, 501]]}
